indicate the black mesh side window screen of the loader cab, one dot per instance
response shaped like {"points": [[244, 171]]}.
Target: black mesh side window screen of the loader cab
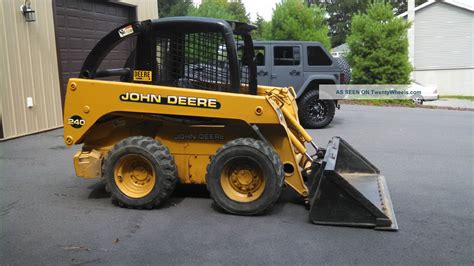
{"points": [[192, 60]]}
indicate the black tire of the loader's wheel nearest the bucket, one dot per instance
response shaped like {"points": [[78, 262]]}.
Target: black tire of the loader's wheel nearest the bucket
{"points": [[261, 155]]}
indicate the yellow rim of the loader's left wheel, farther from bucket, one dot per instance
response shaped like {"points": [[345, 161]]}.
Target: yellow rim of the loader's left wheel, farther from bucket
{"points": [[134, 176]]}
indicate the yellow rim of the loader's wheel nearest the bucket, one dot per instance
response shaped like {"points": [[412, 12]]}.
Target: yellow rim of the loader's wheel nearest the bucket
{"points": [[242, 180]]}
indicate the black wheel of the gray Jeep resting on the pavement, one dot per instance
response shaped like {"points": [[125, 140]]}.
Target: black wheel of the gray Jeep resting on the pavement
{"points": [[313, 112]]}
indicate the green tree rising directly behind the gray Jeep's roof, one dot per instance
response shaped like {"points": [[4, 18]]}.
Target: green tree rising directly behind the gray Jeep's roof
{"points": [[294, 20]]}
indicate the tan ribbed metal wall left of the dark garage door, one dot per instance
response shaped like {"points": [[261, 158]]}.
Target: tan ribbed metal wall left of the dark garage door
{"points": [[29, 69]]}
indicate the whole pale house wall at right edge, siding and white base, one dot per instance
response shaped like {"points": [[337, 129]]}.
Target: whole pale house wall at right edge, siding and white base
{"points": [[443, 48]]}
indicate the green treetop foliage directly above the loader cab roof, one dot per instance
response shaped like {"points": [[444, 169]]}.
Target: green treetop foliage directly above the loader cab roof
{"points": [[221, 9]]}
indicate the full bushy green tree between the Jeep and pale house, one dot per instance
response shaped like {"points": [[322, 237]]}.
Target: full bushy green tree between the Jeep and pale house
{"points": [[379, 47]]}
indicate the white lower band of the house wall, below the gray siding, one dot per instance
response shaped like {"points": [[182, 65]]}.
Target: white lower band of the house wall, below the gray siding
{"points": [[449, 81]]}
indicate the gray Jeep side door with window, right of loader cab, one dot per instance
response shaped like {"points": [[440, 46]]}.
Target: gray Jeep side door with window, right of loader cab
{"points": [[287, 66]]}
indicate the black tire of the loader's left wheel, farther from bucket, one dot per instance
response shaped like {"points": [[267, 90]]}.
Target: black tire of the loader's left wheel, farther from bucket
{"points": [[160, 160]]}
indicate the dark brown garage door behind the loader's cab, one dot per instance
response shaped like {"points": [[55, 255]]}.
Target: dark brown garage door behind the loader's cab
{"points": [[79, 25]]}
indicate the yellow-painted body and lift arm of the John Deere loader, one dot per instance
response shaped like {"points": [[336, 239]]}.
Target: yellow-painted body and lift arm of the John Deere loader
{"points": [[227, 117]]}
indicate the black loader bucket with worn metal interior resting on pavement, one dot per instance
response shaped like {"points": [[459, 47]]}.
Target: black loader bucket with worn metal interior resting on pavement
{"points": [[348, 190]]}
